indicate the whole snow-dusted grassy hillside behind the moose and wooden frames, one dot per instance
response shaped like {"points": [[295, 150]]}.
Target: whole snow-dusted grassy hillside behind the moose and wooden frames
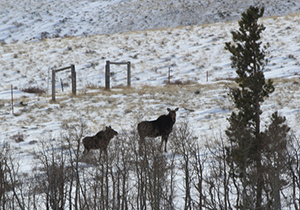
{"points": [[186, 37]]}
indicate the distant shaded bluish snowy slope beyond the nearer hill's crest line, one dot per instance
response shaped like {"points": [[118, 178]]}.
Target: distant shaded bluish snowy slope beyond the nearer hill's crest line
{"points": [[34, 19]]}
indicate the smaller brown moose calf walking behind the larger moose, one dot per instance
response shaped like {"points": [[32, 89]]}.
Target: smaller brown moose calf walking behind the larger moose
{"points": [[99, 141]]}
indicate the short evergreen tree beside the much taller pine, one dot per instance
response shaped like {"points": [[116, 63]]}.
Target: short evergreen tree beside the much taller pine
{"points": [[275, 159]]}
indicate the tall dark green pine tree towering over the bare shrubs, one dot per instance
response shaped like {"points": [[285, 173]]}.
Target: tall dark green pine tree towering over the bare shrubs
{"points": [[248, 58]]}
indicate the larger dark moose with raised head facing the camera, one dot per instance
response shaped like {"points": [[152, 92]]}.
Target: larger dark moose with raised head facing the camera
{"points": [[162, 126]]}
